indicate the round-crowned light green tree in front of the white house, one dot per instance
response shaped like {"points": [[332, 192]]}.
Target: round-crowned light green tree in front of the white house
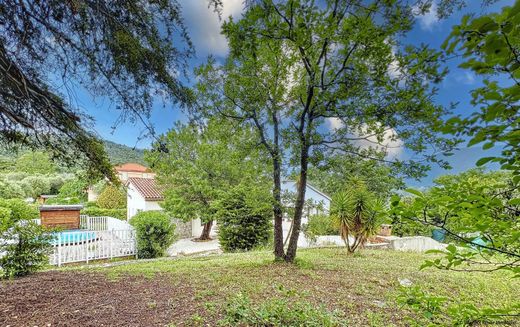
{"points": [[197, 165]]}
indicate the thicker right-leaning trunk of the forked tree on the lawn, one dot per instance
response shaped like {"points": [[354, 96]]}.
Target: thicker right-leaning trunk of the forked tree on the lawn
{"points": [[298, 207]]}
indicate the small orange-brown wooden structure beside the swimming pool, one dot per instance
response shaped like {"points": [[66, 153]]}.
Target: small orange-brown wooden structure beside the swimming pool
{"points": [[61, 216]]}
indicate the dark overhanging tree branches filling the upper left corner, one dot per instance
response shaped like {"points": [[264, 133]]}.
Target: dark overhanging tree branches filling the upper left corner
{"points": [[122, 50]]}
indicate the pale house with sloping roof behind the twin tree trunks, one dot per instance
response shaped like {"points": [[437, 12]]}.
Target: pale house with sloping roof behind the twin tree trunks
{"points": [[316, 202]]}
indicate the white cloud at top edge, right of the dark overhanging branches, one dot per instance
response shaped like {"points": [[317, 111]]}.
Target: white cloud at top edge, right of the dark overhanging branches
{"points": [[204, 25]]}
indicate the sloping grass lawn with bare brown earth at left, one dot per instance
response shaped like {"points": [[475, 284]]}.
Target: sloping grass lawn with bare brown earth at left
{"points": [[359, 290]]}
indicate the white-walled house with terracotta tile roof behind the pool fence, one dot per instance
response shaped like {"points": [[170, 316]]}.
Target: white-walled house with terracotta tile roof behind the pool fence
{"points": [[143, 194]]}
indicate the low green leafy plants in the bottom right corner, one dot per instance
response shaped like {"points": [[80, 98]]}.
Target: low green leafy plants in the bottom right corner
{"points": [[443, 311]]}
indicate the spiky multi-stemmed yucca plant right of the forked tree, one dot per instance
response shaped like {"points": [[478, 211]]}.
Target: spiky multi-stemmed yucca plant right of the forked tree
{"points": [[358, 214]]}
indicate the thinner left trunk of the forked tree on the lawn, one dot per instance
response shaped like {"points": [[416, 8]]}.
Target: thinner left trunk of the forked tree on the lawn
{"points": [[277, 209]]}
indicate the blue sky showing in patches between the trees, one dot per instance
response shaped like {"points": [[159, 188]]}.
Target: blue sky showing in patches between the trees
{"points": [[204, 29]]}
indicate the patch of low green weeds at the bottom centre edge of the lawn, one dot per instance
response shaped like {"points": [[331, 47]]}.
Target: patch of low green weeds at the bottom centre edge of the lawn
{"points": [[239, 311]]}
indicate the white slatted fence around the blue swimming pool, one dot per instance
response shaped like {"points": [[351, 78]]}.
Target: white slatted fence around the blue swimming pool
{"points": [[78, 246]]}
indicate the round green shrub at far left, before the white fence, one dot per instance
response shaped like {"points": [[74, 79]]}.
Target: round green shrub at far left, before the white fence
{"points": [[26, 246]]}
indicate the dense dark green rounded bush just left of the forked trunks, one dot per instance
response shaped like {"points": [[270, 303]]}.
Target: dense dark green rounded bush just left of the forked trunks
{"points": [[244, 217]]}
